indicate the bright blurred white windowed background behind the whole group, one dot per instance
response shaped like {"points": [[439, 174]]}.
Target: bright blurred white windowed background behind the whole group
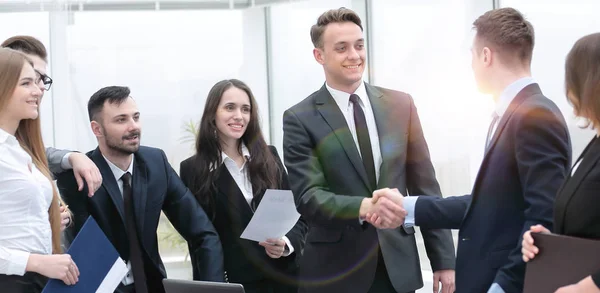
{"points": [[170, 53]]}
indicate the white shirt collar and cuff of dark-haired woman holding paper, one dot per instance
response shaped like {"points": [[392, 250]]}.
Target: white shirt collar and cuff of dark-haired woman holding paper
{"points": [[242, 180]]}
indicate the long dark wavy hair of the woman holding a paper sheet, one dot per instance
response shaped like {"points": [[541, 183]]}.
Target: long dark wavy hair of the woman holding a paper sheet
{"points": [[263, 170]]}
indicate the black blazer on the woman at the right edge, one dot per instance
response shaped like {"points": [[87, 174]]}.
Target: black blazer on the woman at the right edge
{"points": [[577, 207]]}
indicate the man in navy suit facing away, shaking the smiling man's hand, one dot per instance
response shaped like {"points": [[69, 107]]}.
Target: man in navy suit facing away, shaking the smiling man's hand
{"points": [[527, 154]]}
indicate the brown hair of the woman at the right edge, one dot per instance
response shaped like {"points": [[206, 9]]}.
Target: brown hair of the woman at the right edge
{"points": [[582, 77]]}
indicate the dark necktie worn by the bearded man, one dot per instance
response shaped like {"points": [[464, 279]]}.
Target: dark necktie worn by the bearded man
{"points": [[135, 252]]}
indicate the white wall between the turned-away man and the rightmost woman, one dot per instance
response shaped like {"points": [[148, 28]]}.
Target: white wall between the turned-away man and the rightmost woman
{"points": [[558, 24]]}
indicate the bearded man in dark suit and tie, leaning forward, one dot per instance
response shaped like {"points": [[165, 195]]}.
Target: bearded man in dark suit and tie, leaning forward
{"points": [[138, 184]]}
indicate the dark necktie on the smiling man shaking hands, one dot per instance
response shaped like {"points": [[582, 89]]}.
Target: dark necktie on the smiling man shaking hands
{"points": [[364, 140]]}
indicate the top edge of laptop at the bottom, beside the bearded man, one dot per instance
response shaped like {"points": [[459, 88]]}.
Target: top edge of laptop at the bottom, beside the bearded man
{"points": [[185, 286]]}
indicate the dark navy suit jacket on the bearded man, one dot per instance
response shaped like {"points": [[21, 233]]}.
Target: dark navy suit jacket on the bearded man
{"points": [[156, 188]]}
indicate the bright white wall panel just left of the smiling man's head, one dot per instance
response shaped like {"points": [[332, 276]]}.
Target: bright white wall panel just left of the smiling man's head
{"points": [[294, 72]]}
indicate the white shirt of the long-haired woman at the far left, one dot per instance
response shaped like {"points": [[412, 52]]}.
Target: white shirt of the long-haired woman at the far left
{"points": [[25, 197]]}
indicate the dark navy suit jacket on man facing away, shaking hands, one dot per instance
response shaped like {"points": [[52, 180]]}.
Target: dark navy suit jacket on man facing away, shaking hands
{"points": [[515, 188]]}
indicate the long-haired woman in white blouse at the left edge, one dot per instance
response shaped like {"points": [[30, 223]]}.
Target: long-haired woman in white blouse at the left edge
{"points": [[29, 203]]}
